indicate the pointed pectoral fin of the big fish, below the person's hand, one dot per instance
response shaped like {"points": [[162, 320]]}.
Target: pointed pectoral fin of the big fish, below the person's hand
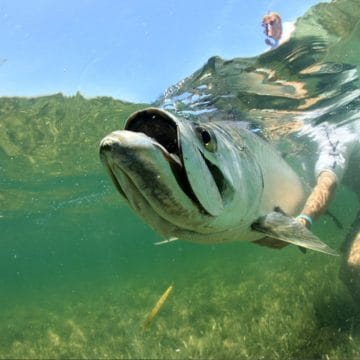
{"points": [[279, 226]]}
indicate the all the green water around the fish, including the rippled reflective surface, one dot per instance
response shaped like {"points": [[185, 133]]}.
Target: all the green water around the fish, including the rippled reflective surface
{"points": [[79, 271]]}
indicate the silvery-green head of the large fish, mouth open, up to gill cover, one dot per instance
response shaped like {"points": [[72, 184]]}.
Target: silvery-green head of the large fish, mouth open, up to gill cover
{"points": [[187, 179]]}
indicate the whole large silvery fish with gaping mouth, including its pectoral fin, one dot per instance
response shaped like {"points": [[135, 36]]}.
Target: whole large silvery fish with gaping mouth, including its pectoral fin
{"points": [[205, 181]]}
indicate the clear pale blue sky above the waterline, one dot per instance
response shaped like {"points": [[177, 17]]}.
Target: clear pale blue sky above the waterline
{"points": [[129, 49]]}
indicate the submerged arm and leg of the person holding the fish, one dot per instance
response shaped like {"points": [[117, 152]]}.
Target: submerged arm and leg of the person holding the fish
{"points": [[338, 161]]}
